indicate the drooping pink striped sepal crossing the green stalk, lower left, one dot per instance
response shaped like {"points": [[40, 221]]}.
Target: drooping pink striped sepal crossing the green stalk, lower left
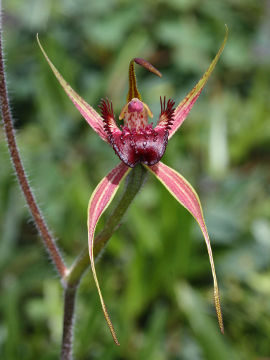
{"points": [[98, 203]]}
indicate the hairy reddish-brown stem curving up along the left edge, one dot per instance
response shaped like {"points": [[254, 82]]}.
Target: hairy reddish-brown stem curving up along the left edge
{"points": [[39, 221]]}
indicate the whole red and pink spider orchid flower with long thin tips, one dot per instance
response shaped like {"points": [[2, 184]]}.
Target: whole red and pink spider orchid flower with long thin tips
{"points": [[138, 142]]}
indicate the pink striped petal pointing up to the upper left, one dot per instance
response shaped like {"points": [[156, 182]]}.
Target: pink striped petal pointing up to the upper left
{"points": [[90, 115]]}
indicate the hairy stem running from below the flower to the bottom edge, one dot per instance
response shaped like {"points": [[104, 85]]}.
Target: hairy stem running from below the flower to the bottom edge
{"points": [[133, 184]]}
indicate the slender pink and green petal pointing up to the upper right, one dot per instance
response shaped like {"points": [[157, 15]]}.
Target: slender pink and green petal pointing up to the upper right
{"points": [[182, 110]]}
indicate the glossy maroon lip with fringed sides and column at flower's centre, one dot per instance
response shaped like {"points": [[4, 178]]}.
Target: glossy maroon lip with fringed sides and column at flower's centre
{"points": [[138, 141]]}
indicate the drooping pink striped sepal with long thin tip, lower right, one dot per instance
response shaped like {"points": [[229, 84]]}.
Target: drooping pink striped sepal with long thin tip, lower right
{"points": [[184, 193]]}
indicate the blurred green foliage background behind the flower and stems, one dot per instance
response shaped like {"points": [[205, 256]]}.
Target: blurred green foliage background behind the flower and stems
{"points": [[155, 272]]}
